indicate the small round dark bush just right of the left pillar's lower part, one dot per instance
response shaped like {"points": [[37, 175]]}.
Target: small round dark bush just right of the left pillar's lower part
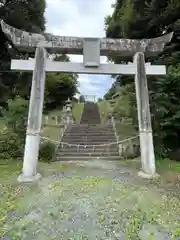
{"points": [[46, 151]]}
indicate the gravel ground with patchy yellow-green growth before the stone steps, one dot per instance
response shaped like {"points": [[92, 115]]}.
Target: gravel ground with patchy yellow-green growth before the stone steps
{"points": [[95, 200]]}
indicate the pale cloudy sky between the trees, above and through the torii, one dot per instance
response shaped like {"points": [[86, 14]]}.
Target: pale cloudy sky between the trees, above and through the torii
{"points": [[82, 18]]}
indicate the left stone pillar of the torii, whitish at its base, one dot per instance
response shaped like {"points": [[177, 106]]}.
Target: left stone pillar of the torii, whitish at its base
{"points": [[31, 152]]}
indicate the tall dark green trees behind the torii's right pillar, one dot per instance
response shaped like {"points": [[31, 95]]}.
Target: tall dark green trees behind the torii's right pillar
{"points": [[148, 19]]}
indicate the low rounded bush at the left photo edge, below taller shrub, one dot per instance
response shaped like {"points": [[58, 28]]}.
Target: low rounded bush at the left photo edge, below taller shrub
{"points": [[11, 146]]}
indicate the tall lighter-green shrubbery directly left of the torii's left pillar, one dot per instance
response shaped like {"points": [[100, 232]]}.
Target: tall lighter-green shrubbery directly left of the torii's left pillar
{"points": [[13, 137]]}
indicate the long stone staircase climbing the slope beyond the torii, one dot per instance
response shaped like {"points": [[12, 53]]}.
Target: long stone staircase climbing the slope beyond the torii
{"points": [[84, 139]]}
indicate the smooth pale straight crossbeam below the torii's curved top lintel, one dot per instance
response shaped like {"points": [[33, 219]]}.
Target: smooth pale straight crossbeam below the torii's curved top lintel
{"points": [[104, 69]]}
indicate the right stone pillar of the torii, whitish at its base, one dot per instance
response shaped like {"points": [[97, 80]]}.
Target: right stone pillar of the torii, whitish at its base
{"points": [[144, 119]]}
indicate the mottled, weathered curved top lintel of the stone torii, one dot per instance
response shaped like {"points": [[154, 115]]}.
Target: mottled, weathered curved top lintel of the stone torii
{"points": [[74, 45]]}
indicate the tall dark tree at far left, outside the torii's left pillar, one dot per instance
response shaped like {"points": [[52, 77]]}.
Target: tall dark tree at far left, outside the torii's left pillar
{"points": [[25, 15]]}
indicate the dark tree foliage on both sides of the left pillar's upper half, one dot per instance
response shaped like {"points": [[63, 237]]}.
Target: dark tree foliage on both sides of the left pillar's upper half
{"points": [[29, 15]]}
